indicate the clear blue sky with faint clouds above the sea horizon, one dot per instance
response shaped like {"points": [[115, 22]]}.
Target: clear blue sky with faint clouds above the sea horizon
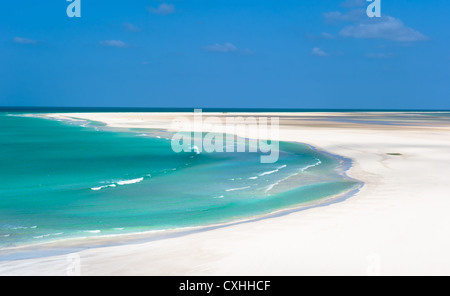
{"points": [[226, 54]]}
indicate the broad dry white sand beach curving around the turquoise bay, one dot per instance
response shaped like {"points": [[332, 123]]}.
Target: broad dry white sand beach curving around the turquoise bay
{"points": [[397, 224]]}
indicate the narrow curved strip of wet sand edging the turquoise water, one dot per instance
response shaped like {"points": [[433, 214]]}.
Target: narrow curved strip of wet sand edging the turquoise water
{"points": [[71, 244]]}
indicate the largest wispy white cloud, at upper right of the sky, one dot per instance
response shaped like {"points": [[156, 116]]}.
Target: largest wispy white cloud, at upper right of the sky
{"points": [[386, 27]]}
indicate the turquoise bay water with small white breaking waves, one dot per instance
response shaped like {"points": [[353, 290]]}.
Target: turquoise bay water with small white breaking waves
{"points": [[64, 179]]}
